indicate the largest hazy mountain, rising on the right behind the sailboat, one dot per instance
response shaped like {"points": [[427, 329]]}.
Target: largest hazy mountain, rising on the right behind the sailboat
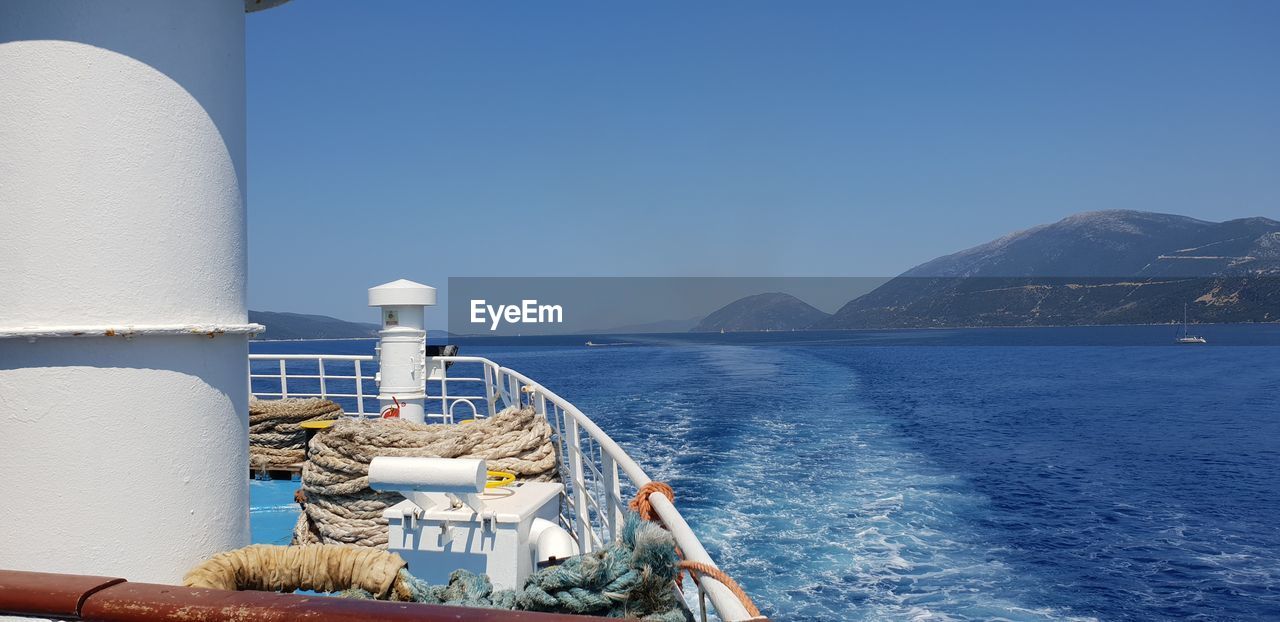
{"points": [[1094, 268]]}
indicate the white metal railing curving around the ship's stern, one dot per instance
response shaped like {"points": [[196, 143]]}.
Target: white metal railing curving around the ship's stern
{"points": [[597, 473]]}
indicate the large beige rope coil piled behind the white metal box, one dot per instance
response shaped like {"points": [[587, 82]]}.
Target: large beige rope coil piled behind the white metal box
{"points": [[341, 509]]}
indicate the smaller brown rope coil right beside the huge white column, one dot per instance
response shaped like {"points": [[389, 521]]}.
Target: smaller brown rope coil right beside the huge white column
{"points": [[276, 440]]}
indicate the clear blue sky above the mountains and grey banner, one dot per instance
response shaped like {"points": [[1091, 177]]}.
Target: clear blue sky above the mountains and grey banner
{"points": [[435, 140]]}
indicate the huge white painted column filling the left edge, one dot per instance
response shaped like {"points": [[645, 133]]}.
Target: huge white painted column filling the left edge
{"points": [[124, 355]]}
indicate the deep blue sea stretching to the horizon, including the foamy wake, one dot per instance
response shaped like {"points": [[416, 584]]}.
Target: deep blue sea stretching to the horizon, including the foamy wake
{"points": [[976, 478]]}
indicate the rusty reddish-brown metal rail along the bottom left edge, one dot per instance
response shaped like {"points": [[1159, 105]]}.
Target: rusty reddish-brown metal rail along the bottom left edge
{"points": [[108, 600]]}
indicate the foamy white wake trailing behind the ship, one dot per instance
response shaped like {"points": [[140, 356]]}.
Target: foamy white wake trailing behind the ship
{"points": [[806, 493]]}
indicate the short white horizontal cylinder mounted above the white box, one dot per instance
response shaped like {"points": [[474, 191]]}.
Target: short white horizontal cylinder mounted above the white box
{"points": [[401, 474]]}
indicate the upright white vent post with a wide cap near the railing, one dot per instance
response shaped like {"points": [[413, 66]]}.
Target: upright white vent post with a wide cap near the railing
{"points": [[403, 347]]}
